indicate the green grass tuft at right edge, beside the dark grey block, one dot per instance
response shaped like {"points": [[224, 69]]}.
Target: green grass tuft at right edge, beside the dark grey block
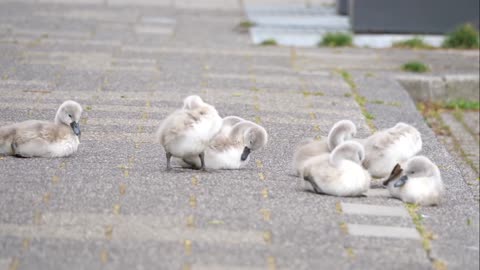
{"points": [[464, 37]]}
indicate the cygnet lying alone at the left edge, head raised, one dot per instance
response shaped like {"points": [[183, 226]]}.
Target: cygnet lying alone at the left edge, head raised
{"points": [[35, 138]]}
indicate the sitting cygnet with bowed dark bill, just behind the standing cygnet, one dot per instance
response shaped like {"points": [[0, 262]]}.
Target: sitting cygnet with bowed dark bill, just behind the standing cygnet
{"points": [[233, 151]]}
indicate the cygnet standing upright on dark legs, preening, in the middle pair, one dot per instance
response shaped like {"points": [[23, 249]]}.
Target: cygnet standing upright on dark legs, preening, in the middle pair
{"points": [[187, 131]]}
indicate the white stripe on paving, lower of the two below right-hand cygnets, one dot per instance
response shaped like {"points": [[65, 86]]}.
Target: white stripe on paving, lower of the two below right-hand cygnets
{"points": [[383, 231]]}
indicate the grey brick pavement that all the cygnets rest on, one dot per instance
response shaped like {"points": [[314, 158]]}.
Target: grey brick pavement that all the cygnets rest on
{"points": [[112, 205]]}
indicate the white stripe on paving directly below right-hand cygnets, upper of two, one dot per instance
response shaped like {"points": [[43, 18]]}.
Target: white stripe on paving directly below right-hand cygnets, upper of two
{"points": [[374, 210]]}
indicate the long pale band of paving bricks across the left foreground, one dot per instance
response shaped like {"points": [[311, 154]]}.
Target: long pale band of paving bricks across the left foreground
{"points": [[83, 227]]}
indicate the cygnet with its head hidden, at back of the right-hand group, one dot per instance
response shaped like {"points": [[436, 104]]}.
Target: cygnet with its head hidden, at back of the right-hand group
{"points": [[388, 147]]}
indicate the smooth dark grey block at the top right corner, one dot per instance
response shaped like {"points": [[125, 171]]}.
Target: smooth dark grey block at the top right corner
{"points": [[412, 16]]}
